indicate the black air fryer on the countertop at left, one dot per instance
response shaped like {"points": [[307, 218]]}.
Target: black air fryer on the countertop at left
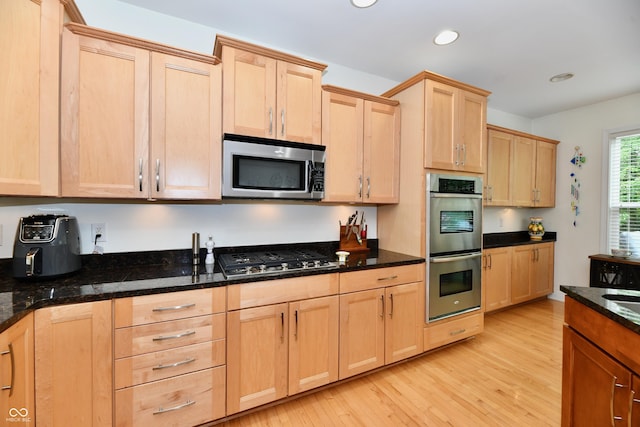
{"points": [[46, 246]]}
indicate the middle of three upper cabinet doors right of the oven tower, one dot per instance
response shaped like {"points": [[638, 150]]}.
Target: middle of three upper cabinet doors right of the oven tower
{"points": [[523, 171]]}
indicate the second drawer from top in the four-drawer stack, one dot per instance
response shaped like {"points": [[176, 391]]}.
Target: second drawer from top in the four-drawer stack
{"points": [[165, 335]]}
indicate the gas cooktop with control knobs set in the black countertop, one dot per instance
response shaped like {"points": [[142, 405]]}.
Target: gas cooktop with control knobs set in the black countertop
{"points": [[272, 262]]}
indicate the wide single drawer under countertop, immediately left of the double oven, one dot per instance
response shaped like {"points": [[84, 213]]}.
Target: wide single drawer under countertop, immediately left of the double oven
{"points": [[380, 277]]}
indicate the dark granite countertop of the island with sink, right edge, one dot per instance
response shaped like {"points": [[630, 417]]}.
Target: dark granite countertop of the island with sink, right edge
{"points": [[593, 298]]}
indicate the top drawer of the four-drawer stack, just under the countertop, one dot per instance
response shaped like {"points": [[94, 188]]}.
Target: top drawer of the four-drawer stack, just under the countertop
{"points": [[170, 306]]}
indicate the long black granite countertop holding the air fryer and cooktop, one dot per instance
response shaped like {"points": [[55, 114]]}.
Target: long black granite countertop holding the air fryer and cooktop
{"points": [[141, 273]]}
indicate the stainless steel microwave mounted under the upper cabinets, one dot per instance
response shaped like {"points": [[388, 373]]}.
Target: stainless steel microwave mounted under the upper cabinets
{"points": [[261, 168]]}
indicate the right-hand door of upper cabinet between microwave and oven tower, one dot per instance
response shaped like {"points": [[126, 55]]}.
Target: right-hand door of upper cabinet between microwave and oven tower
{"points": [[381, 162]]}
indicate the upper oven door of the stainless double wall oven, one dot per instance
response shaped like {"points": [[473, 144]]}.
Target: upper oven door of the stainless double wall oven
{"points": [[455, 223]]}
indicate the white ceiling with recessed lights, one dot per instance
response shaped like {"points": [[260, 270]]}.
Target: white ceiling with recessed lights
{"points": [[510, 47]]}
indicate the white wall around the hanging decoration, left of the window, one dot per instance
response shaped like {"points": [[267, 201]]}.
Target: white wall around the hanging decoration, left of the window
{"points": [[582, 127]]}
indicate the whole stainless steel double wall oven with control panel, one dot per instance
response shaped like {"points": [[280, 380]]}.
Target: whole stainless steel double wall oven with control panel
{"points": [[454, 209]]}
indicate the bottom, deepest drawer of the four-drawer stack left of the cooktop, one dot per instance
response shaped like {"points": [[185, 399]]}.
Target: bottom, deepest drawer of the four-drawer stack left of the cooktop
{"points": [[186, 400]]}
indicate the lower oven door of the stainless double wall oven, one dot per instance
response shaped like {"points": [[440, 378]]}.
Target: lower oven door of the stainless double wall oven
{"points": [[454, 285]]}
